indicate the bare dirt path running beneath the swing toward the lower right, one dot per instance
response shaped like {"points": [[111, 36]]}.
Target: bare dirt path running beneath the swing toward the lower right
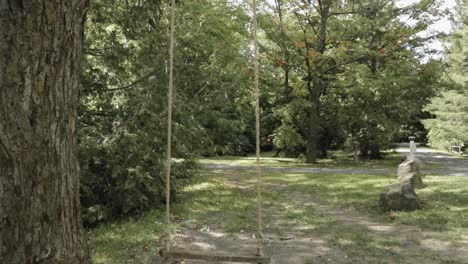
{"points": [[347, 236]]}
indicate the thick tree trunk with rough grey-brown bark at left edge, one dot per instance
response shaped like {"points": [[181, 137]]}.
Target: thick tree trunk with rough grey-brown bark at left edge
{"points": [[40, 53]]}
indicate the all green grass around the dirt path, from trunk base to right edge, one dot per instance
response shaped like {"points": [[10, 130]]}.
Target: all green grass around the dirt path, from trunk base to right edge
{"points": [[225, 200]]}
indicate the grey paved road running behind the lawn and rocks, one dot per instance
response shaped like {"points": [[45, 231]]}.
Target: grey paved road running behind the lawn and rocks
{"points": [[455, 166]]}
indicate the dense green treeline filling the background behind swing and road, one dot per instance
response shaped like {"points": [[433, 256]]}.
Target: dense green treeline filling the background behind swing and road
{"points": [[333, 74]]}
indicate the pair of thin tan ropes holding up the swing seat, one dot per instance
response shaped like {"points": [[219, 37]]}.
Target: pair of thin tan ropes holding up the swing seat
{"points": [[169, 128]]}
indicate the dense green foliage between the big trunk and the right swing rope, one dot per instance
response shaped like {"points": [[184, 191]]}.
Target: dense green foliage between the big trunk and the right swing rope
{"points": [[124, 105]]}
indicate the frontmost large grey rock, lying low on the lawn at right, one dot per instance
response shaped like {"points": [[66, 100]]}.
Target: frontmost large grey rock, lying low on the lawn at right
{"points": [[399, 197]]}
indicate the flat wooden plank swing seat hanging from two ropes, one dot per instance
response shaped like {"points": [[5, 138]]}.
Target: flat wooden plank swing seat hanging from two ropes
{"points": [[184, 254]]}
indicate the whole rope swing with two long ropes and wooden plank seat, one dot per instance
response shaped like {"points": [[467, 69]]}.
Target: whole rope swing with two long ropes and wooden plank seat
{"points": [[180, 254]]}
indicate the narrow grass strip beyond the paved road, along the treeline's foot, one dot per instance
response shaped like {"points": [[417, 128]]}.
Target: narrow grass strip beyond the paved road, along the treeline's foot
{"points": [[338, 159]]}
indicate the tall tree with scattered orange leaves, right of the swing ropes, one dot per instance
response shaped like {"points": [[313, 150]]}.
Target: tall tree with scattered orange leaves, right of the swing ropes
{"points": [[333, 40]]}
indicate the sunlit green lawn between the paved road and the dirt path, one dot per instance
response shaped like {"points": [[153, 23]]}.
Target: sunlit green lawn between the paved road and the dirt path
{"points": [[232, 206]]}
